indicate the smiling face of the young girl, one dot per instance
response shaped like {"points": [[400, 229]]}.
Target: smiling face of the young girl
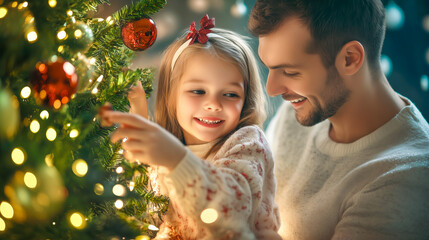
{"points": [[210, 98]]}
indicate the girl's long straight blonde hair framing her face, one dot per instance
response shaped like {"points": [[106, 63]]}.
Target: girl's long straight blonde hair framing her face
{"points": [[228, 46]]}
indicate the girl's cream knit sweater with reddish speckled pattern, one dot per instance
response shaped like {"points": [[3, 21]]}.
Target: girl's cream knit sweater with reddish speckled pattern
{"points": [[238, 182]]}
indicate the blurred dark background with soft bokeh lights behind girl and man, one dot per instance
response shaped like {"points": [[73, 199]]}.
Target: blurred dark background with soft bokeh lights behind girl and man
{"points": [[405, 59]]}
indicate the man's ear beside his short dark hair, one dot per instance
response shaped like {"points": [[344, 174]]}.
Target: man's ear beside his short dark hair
{"points": [[350, 58]]}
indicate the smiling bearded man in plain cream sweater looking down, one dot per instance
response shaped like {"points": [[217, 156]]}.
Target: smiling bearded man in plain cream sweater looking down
{"points": [[352, 155]]}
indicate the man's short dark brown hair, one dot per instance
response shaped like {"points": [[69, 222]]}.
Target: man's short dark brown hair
{"points": [[332, 24]]}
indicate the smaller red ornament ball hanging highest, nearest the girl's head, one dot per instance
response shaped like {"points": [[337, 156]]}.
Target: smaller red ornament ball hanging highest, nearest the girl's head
{"points": [[139, 35]]}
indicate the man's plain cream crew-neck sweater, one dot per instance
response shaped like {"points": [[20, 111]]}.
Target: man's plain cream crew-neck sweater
{"points": [[374, 188]]}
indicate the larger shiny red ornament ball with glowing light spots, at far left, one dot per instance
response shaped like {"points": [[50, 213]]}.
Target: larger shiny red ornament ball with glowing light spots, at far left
{"points": [[54, 83]]}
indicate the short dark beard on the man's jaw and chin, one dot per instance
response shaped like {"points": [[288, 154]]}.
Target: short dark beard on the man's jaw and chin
{"points": [[335, 95]]}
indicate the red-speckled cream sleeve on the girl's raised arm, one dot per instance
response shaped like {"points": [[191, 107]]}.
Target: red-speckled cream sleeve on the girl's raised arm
{"points": [[231, 183]]}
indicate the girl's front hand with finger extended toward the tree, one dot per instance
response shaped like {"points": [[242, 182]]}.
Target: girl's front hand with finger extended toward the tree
{"points": [[145, 141]]}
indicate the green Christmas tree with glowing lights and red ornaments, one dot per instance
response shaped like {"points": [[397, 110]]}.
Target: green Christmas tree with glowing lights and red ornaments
{"points": [[60, 176]]}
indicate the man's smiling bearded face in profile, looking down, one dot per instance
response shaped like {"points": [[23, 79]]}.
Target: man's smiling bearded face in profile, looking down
{"points": [[315, 92]]}
